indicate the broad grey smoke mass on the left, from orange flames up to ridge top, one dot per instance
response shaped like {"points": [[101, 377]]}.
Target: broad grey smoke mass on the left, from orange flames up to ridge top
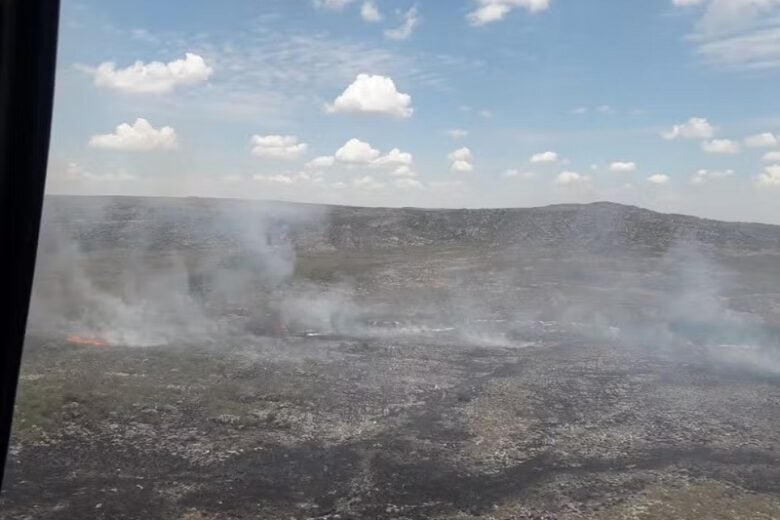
{"points": [[134, 281]]}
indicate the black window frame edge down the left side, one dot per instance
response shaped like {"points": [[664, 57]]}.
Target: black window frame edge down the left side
{"points": [[28, 49]]}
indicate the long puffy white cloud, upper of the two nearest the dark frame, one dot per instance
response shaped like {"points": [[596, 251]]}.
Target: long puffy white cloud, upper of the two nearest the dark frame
{"points": [[152, 78]]}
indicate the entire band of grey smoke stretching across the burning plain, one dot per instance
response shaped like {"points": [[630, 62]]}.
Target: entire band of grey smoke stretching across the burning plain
{"points": [[135, 273]]}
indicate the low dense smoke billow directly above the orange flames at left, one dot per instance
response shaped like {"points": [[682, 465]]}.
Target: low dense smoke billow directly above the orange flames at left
{"points": [[141, 307]]}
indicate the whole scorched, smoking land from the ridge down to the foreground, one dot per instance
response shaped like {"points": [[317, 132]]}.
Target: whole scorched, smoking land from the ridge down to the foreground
{"points": [[212, 359]]}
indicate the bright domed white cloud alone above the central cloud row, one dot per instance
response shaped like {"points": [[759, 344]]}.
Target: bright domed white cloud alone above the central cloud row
{"points": [[373, 94]]}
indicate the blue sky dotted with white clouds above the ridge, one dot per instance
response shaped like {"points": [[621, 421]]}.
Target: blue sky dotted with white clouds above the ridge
{"points": [[672, 105]]}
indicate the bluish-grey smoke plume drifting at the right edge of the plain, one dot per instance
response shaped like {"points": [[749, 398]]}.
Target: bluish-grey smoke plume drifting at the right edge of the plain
{"points": [[684, 308]]}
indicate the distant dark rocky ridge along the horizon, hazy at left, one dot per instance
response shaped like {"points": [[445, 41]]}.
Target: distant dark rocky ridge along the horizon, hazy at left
{"points": [[127, 222]]}
